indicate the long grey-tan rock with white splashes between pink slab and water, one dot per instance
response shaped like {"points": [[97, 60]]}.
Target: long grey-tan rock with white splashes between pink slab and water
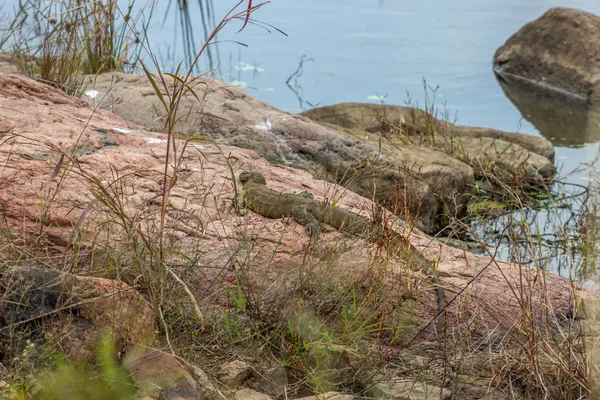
{"points": [[422, 183]]}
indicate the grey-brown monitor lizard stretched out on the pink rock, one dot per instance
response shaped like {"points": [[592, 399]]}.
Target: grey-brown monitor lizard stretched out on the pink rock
{"points": [[311, 213]]}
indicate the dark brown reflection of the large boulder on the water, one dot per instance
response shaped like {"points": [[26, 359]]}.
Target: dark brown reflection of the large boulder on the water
{"points": [[562, 119]]}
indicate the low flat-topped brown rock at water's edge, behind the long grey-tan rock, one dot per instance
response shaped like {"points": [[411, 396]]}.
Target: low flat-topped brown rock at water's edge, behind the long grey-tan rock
{"points": [[506, 154]]}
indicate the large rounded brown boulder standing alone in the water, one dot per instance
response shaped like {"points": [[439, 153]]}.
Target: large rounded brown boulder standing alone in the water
{"points": [[559, 51]]}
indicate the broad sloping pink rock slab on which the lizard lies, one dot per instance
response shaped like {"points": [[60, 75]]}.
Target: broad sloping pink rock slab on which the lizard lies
{"points": [[63, 155]]}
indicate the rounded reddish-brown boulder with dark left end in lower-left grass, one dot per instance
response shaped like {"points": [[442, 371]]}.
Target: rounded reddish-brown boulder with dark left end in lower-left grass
{"points": [[83, 310]]}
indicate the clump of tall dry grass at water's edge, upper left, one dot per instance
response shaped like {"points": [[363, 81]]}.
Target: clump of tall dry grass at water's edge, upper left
{"points": [[59, 42]]}
